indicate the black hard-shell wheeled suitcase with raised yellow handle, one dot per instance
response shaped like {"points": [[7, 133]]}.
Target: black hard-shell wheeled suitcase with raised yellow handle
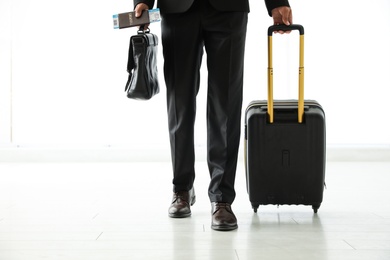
{"points": [[285, 145]]}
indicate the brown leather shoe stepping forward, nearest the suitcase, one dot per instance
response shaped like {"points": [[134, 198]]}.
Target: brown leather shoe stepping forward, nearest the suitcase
{"points": [[222, 217]]}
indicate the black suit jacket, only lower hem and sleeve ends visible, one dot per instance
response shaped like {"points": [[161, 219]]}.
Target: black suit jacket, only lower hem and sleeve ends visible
{"points": [[180, 6]]}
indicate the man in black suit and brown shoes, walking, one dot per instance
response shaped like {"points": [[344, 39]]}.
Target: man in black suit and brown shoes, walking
{"points": [[219, 27]]}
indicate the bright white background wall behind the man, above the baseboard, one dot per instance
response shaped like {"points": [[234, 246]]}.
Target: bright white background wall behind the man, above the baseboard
{"points": [[63, 71]]}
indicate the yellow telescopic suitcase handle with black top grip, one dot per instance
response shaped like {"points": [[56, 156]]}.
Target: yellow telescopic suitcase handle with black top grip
{"points": [[270, 107]]}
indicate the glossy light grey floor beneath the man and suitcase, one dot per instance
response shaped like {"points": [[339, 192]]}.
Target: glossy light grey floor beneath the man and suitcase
{"points": [[119, 211]]}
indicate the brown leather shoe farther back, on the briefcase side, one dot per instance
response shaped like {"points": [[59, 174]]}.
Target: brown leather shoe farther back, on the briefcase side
{"points": [[181, 202]]}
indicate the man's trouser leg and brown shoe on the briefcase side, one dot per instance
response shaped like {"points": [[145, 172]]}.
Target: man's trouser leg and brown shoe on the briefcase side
{"points": [[182, 49]]}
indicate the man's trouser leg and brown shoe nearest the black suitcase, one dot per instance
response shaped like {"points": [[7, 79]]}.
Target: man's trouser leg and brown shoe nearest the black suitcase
{"points": [[224, 35]]}
